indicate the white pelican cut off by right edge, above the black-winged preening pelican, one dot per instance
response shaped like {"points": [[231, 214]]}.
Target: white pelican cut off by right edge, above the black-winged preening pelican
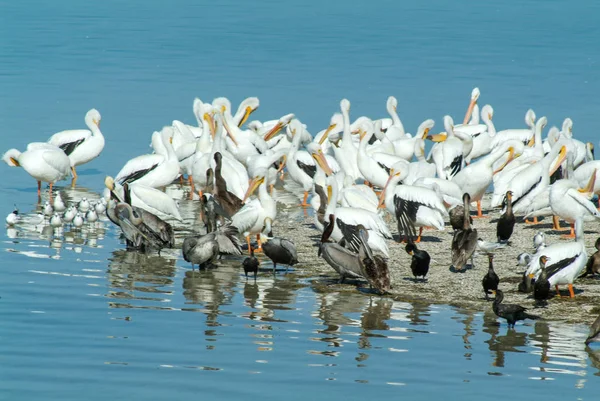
{"points": [[570, 202]]}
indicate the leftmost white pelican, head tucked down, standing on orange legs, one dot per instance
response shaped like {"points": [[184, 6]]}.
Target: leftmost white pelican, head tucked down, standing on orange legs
{"points": [[43, 161]]}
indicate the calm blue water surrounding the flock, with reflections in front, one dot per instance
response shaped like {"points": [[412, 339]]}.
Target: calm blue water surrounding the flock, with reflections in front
{"points": [[83, 319]]}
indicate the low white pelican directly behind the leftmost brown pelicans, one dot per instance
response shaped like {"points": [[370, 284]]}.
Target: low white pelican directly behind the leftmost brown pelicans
{"points": [[147, 198]]}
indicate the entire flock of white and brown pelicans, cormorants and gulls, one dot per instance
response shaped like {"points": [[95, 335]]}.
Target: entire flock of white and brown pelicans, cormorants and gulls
{"points": [[355, 171]]}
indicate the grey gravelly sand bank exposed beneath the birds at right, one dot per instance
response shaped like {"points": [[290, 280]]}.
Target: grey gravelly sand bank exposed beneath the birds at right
{"points": [[443, 286]]}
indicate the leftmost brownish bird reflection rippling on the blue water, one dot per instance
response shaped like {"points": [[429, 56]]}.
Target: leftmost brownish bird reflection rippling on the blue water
{"points": [[136, 276]]}
